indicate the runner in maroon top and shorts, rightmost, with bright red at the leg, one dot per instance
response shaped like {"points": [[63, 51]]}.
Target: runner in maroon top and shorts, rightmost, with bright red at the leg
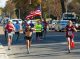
{"points": [[70, 29]]}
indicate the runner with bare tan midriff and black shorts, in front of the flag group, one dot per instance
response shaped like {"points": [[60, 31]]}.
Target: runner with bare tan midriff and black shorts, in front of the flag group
{"points": [[28, 36]]}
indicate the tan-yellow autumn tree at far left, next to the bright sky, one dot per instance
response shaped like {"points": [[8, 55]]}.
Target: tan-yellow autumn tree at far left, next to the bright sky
{"points": [[9, 9]]}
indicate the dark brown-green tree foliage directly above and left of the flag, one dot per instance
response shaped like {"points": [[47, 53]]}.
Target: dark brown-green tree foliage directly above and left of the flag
{"points": [[25, 7]]}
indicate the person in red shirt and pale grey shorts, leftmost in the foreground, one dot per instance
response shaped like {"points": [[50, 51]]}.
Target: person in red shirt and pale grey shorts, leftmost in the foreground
{"points": [[10, 28]]}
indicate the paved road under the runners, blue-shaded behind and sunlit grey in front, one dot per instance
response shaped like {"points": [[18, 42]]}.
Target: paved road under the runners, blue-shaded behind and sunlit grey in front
{"points": [[54, 46]]}
